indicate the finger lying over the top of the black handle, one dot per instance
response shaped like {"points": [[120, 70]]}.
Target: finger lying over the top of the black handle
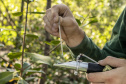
{"points": [[112, 61]]}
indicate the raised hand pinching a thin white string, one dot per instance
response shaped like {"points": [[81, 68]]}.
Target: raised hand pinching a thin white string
{"points": [[70, 31]]}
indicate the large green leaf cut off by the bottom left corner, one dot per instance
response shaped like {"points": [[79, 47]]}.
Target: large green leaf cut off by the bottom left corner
{"points": [[5, 77]]}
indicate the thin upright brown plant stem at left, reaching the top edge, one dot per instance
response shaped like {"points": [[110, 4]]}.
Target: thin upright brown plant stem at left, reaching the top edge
{"points": [[23, 44]]}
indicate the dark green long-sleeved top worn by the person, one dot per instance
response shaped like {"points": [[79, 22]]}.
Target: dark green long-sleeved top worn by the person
{"points": [[115, 47]]}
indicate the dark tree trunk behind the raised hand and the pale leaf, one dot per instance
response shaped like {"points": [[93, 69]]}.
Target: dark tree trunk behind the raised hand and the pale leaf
{"points": [[46, 50]]}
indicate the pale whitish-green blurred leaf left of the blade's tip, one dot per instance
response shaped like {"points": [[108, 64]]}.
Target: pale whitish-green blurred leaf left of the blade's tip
{"points": [[37, 58]]}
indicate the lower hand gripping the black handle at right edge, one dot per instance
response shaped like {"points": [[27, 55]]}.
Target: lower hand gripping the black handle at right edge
{"points": [[115, 76]]}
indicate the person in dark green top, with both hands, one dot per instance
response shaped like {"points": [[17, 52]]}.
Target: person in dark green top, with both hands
{"points": [[79, 42]]}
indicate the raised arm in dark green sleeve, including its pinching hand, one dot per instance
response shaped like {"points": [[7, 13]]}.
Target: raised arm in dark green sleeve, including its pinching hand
{"points": [[75, 37]]}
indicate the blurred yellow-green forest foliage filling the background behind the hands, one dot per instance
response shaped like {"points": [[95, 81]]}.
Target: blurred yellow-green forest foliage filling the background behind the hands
{"points": [[95, 17]]}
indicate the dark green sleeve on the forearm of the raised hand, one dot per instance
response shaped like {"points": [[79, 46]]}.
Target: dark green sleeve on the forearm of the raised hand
{"points": [[88, 48]]}
